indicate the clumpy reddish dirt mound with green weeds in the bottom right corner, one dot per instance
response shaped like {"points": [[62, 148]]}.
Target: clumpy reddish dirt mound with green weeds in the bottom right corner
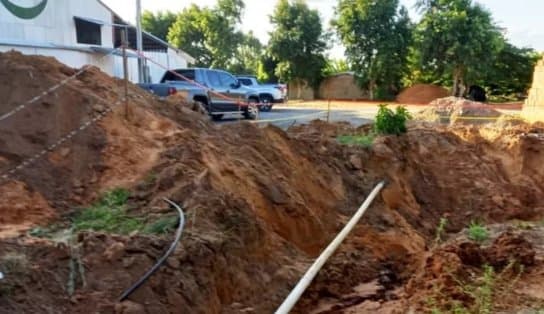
{"points": [[463, 274]]}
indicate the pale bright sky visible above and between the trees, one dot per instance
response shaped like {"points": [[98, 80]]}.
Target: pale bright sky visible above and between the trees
{"points": [[521, 18]]}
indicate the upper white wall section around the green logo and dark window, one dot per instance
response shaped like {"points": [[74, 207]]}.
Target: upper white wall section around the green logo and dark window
{"points": [[55, 25]]}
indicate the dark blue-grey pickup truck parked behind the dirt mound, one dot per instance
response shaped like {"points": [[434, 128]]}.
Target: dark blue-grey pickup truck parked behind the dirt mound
{"points": [[217, 91]]}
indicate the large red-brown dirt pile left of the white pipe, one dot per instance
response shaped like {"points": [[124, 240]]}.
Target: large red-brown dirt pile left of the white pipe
{"points": [[259, 205]]}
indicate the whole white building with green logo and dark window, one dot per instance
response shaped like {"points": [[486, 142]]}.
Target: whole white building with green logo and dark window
{"points": [[79, 32]]}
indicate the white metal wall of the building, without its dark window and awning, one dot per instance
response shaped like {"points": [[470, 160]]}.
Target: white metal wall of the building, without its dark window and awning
{"points": [[55, 26]]}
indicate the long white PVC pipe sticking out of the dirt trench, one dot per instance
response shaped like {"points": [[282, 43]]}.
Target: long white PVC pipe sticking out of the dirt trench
{"points": [[301, 286]]}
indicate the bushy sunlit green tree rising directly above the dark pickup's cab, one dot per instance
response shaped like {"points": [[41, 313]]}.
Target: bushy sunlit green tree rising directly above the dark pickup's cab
{"points": [[209, 34]]}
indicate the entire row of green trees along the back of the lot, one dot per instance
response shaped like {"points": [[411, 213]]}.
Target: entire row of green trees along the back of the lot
{"points": [[455, 44]]}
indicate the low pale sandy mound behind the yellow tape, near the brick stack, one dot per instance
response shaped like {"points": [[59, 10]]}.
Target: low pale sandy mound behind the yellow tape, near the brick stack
{"points": [[458, 110]]}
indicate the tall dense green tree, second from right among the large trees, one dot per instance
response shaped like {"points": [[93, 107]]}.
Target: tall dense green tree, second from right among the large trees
{"points": [[377, 35]]}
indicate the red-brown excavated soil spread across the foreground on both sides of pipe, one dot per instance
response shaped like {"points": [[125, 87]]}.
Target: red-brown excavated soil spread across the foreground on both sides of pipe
{"points": [[259, 203]]}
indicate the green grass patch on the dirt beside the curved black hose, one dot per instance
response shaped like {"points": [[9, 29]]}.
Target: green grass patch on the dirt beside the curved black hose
{"points": [[109, 214]]}
